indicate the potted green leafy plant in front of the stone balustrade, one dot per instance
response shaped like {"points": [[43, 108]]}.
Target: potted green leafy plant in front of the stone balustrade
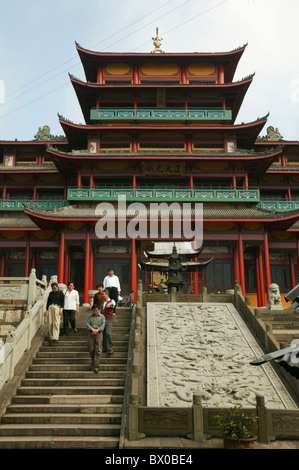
{"points": [[238, 429]]}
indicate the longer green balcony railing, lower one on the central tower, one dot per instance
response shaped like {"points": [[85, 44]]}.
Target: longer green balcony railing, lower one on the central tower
{"points": [[163, 194]]}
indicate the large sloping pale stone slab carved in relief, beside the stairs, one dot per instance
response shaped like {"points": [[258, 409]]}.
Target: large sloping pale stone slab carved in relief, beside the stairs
{"points": [[206, 348]]}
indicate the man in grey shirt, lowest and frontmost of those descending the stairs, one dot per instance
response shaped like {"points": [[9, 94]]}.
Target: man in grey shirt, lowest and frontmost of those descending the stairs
{"points": [[95, 325]]}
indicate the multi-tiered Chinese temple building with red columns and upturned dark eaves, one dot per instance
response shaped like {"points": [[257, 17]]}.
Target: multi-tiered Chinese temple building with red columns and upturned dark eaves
{"points": [[159, 127]]}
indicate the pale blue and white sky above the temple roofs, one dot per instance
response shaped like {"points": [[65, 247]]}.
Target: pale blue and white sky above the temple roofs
{"points": [[37, 50]]}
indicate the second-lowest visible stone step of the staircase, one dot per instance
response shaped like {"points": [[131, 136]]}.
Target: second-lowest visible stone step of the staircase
{"points": [[59, 430]]}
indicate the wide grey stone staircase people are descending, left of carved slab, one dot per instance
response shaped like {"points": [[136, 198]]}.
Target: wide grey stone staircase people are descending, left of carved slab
{"points": [[61, 404]]}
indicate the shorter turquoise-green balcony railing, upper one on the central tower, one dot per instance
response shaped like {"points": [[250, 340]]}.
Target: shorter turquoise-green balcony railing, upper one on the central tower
{"points": [[160, 114]]}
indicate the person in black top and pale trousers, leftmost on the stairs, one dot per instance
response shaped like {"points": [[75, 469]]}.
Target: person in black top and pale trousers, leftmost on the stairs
{"points": [[54, 307]]}
